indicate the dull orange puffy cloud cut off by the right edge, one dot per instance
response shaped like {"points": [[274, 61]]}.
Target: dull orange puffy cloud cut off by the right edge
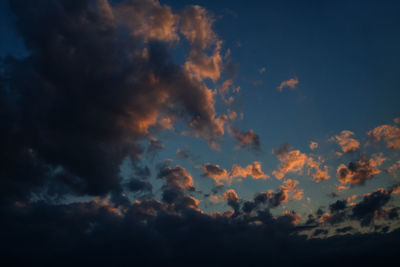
{"points": [[390, 135]]}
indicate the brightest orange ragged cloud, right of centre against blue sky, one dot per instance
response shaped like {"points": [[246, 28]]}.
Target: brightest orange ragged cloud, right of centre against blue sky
{"points": [[294, 161]]}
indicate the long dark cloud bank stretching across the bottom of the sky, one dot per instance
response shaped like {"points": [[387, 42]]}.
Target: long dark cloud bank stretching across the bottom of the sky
{"points": [[95, 234]]}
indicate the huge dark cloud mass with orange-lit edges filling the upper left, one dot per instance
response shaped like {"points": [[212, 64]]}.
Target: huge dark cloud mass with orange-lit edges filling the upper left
{"points": [[90, 89]]}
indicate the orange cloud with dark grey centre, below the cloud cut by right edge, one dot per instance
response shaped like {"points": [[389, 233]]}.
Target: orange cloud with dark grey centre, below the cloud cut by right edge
{"points": [[356, 173]]}
